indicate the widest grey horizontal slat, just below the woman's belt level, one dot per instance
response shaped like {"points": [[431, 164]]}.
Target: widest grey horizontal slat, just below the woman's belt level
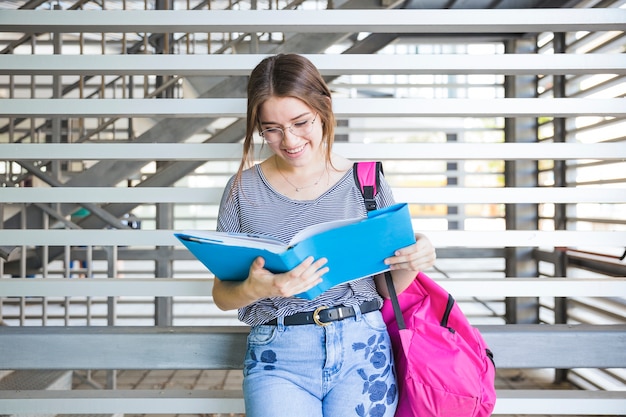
{"points": [[149, 347]]}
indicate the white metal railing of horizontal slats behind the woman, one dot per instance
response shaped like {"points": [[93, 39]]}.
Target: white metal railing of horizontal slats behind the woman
{"points": [[373, 21]]}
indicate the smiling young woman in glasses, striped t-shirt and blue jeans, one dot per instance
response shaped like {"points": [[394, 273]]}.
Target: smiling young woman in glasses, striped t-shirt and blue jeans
{"points": [[329, 356]]}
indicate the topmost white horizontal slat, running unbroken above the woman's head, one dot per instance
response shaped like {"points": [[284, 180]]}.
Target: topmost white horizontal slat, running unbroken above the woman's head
{"points": [[319, 21]]}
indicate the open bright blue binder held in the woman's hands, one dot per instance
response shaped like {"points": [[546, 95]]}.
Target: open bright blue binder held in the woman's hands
{"points": [[355, 248]]}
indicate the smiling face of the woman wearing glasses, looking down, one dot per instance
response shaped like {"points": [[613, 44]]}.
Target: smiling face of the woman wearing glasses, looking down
{"points": [[289, 112]]}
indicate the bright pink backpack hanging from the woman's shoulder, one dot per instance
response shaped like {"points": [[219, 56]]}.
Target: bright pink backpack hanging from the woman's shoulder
{"points": [[443, 365]]}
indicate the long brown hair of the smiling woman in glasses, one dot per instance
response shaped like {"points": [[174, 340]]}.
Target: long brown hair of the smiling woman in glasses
{"points": [[287, 75]]}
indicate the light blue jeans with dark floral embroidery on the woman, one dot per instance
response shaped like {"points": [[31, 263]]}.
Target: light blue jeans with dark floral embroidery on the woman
{"points": [[340, 370]]}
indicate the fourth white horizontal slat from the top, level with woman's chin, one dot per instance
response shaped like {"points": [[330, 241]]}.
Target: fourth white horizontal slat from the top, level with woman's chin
{"points": [[359, 151]]}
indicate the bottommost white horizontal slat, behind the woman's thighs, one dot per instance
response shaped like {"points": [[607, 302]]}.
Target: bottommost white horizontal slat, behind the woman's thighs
{"points": [[511, 402]]}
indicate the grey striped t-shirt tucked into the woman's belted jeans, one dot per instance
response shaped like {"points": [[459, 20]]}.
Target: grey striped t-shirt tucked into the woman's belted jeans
{"points": [[255, 207]]}
